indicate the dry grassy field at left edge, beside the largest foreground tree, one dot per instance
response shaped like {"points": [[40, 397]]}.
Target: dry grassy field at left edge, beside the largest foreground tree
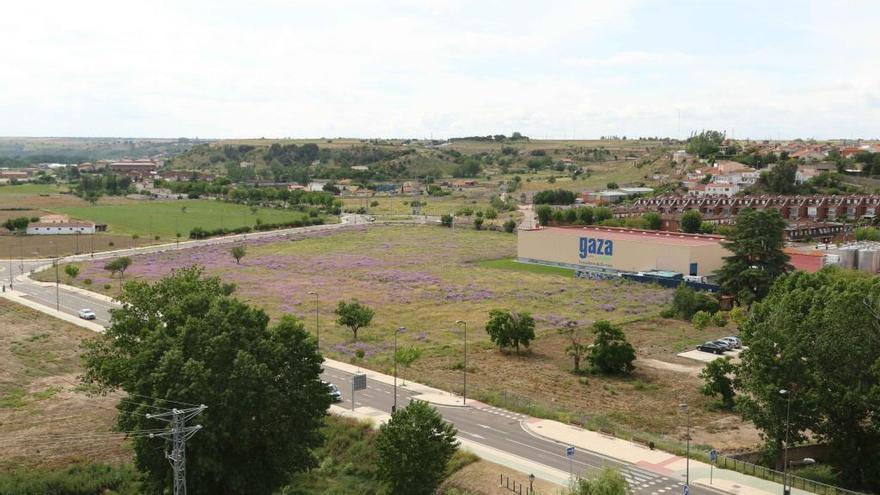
{"points": [[45, 416]]}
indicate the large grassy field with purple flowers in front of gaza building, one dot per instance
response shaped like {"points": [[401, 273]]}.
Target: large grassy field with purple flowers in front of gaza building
{"points": [[426, 278]]}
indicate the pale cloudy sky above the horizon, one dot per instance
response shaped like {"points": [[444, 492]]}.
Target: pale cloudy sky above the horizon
{"points": [[440, 68]]}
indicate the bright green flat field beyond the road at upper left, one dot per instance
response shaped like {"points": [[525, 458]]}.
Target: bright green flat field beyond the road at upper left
{"points": [[165, 218]]}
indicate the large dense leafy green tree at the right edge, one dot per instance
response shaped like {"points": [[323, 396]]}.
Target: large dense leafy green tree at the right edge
{"points": [[816, 335]]}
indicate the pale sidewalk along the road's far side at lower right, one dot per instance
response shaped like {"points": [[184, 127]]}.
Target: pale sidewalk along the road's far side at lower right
{"points": [[656, 461]]}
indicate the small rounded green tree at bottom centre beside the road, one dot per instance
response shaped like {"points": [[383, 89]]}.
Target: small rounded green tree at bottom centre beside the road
{"points": [[414, 447]]}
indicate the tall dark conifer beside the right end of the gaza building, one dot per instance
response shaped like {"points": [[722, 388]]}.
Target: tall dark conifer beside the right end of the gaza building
{"points": [[756, 242]]}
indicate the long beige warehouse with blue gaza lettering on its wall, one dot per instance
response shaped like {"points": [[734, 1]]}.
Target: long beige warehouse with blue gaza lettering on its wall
{"points": [[611, 250]]}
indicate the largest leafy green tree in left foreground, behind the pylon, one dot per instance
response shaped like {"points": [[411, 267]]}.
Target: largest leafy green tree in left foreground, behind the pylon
{"points": [[186, 339]]}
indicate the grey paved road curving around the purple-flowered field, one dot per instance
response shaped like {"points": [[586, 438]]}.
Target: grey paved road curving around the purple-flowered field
{"points": [[493, 427]]}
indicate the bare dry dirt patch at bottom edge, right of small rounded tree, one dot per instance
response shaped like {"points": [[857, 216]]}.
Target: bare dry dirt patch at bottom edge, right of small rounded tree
{"points": [[484, 478]]}
